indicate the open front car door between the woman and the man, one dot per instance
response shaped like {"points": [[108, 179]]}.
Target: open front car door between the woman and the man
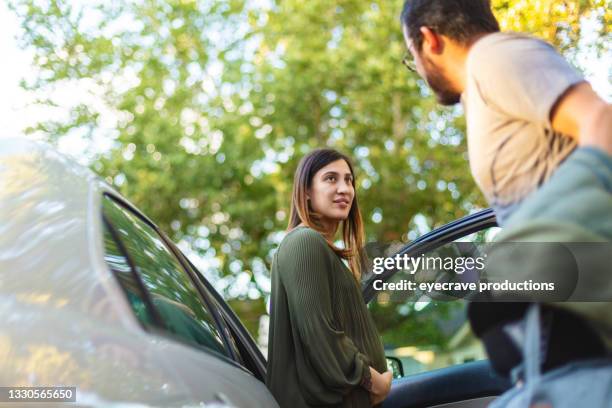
{"points": [[443, 364]]}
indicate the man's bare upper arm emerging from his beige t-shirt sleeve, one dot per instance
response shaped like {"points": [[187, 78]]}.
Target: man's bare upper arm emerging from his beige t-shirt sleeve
{"points": [[585, 116]]}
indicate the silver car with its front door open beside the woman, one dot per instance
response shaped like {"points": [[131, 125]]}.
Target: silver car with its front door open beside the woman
{"points": [[96, 297]]}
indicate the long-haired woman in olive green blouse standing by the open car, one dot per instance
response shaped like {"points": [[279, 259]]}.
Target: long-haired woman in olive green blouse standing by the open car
{"points": [[324, 349]]}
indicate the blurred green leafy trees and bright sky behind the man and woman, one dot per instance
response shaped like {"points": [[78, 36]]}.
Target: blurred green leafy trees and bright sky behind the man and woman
{"points": [[198, 112]]}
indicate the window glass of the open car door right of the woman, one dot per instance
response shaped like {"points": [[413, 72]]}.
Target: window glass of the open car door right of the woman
{"points": [[425, 333]]}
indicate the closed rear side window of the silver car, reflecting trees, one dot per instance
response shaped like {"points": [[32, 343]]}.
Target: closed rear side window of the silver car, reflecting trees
{"points": [[173, 295]]}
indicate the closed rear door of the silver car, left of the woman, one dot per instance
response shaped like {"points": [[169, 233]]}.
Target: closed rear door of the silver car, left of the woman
{"points": [[185, 322]]}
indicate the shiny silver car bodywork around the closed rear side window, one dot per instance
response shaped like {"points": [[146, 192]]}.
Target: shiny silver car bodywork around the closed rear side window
{"points": [[66, 321]]}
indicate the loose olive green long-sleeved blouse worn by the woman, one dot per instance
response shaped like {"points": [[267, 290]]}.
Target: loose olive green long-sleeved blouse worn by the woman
{"points": [[322, 337]]}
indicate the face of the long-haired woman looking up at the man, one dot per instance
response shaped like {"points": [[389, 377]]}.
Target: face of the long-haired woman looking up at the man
{"points": [[331, 193]]}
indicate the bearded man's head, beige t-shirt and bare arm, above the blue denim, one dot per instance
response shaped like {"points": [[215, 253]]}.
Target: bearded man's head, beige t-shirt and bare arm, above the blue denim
{"points": [[526, 107]]}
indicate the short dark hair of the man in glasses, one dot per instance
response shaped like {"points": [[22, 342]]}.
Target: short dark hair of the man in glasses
{"points": [[459, 20]]}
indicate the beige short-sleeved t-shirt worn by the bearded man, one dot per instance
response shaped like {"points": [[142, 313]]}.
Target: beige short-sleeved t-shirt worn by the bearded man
{"points": [[513, 82]]}
